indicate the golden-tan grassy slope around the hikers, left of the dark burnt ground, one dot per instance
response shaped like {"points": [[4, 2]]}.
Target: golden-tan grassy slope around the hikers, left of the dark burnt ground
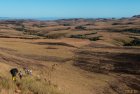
{"points": [[65, 78]]}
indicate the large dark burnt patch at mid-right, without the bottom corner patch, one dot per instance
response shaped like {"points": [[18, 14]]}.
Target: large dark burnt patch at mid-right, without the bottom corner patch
{"points": [[108, 61]]}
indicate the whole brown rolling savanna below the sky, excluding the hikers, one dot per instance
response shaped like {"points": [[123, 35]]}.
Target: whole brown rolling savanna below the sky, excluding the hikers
{"points": [[71, 56]]}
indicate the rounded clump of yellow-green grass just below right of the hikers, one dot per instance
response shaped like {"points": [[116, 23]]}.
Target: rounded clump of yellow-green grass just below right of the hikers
{"points": [[28, 85]]}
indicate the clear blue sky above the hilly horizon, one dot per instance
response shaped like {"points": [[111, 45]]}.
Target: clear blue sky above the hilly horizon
{"points": [[69, 8]]}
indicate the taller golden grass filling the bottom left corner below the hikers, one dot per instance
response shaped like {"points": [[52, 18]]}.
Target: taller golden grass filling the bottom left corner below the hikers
{"points": [[28, 85]]}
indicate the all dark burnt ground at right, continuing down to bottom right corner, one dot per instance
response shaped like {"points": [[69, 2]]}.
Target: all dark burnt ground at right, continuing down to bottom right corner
{"points": [[125, 67]]}
